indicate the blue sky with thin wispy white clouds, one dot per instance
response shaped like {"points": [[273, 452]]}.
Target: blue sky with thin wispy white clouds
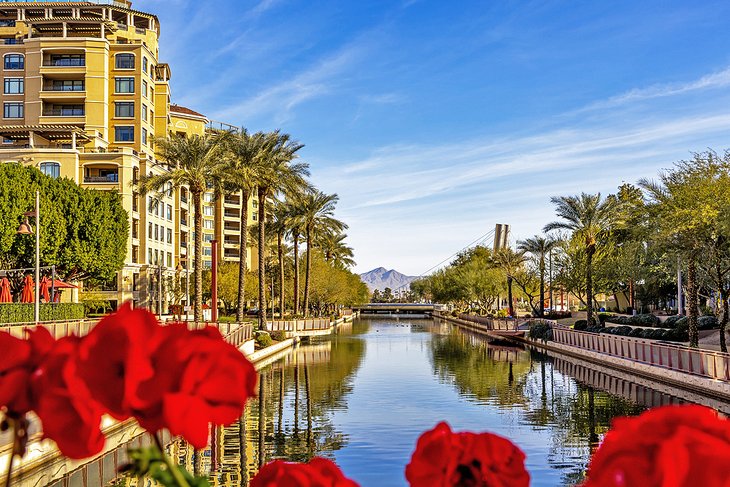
{"points": [[435, 120]]}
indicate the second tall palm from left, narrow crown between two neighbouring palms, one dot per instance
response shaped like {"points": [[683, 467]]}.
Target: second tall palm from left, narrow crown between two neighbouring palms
{"points": [[243, 154]]}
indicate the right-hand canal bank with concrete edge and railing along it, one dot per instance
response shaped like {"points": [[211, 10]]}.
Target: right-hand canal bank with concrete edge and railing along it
{"points": [[717, 387]]}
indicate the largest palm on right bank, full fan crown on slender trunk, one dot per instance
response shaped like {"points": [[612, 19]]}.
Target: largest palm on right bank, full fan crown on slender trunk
{"points": [[590, 219]]}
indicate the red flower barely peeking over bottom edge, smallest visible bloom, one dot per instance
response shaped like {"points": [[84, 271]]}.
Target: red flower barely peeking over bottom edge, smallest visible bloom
{"points": [[319, 472]]}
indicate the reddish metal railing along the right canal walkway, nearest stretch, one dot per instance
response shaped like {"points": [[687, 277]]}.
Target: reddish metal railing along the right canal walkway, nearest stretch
{"points": [[704, 363]]}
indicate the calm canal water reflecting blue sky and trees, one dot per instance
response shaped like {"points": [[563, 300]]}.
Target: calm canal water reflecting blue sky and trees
{"points": [[363, 397]]}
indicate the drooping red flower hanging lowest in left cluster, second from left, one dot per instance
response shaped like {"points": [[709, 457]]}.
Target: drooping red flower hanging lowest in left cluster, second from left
{"points": [[69, 415]]}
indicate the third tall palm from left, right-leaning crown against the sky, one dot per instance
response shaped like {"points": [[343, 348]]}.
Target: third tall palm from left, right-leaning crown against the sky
{"points": [[275, 173]]}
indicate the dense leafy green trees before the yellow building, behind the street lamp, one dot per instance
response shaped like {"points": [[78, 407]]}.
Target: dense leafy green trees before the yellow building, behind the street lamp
{"points": [[83, 231]]}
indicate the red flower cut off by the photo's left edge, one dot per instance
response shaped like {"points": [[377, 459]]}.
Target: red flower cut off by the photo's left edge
{"points": [[20, 360]]}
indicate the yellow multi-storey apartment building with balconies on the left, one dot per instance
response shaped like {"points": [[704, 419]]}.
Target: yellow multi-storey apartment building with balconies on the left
{"points": [[84, 95]]}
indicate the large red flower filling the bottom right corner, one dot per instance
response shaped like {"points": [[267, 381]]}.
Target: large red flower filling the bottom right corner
{"points": [[667, 446]]}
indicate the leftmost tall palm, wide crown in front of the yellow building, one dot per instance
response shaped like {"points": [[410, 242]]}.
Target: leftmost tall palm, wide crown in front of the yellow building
{"points": [[193, 162]]}
